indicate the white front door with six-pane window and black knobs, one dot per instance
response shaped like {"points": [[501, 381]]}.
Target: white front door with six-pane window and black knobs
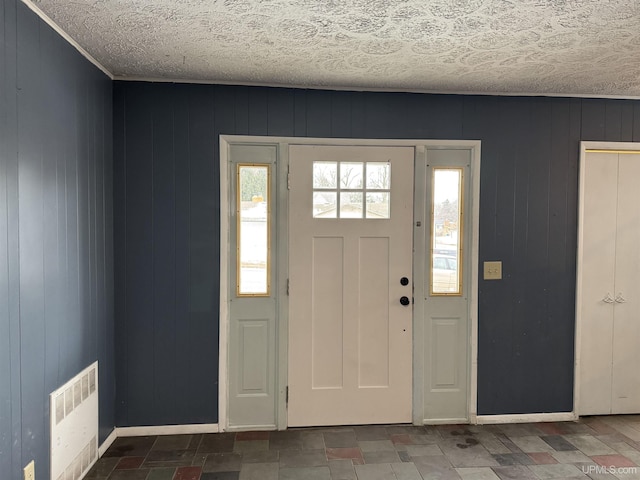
{"points": [[350, 285]]}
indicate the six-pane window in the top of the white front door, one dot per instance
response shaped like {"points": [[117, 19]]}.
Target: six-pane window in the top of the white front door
{"points": [[351, 189]]}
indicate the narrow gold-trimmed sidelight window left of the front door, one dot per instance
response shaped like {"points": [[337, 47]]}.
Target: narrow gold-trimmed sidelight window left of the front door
{"points": [[253, 209]]}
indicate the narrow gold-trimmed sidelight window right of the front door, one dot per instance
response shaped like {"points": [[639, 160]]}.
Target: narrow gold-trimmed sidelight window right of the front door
{"points": [[446, 232]]}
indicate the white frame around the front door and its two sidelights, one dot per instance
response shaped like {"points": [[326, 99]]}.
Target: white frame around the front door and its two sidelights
{"points": [[281, 264]]}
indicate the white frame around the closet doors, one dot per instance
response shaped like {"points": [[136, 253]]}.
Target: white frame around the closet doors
{"points": [[586, 147]]}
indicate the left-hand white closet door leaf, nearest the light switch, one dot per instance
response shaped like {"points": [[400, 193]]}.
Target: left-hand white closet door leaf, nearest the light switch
{"points": [[596, 280]]}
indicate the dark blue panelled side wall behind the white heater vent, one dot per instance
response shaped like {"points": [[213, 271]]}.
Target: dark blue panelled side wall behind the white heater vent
{"points": [[56, 232]]}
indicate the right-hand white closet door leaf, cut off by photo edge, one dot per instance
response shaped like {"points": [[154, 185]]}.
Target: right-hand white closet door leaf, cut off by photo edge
{"points": [[626, 328]]}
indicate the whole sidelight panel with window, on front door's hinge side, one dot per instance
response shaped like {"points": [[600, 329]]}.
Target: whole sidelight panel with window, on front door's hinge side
{"points": [[252, 307]]}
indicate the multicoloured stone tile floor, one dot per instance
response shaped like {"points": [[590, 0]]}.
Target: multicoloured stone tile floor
{"points": [[594, 447]]}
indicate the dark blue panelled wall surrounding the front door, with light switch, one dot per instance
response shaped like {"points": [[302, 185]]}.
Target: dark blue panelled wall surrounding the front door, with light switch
{"points": [[167, 228]]}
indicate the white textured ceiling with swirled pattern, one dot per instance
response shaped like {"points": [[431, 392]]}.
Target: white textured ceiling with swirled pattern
{"points": [[556, 47]]}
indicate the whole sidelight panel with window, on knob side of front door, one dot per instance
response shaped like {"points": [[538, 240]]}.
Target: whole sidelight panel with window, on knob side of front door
{"points": [[447, 285]]}
